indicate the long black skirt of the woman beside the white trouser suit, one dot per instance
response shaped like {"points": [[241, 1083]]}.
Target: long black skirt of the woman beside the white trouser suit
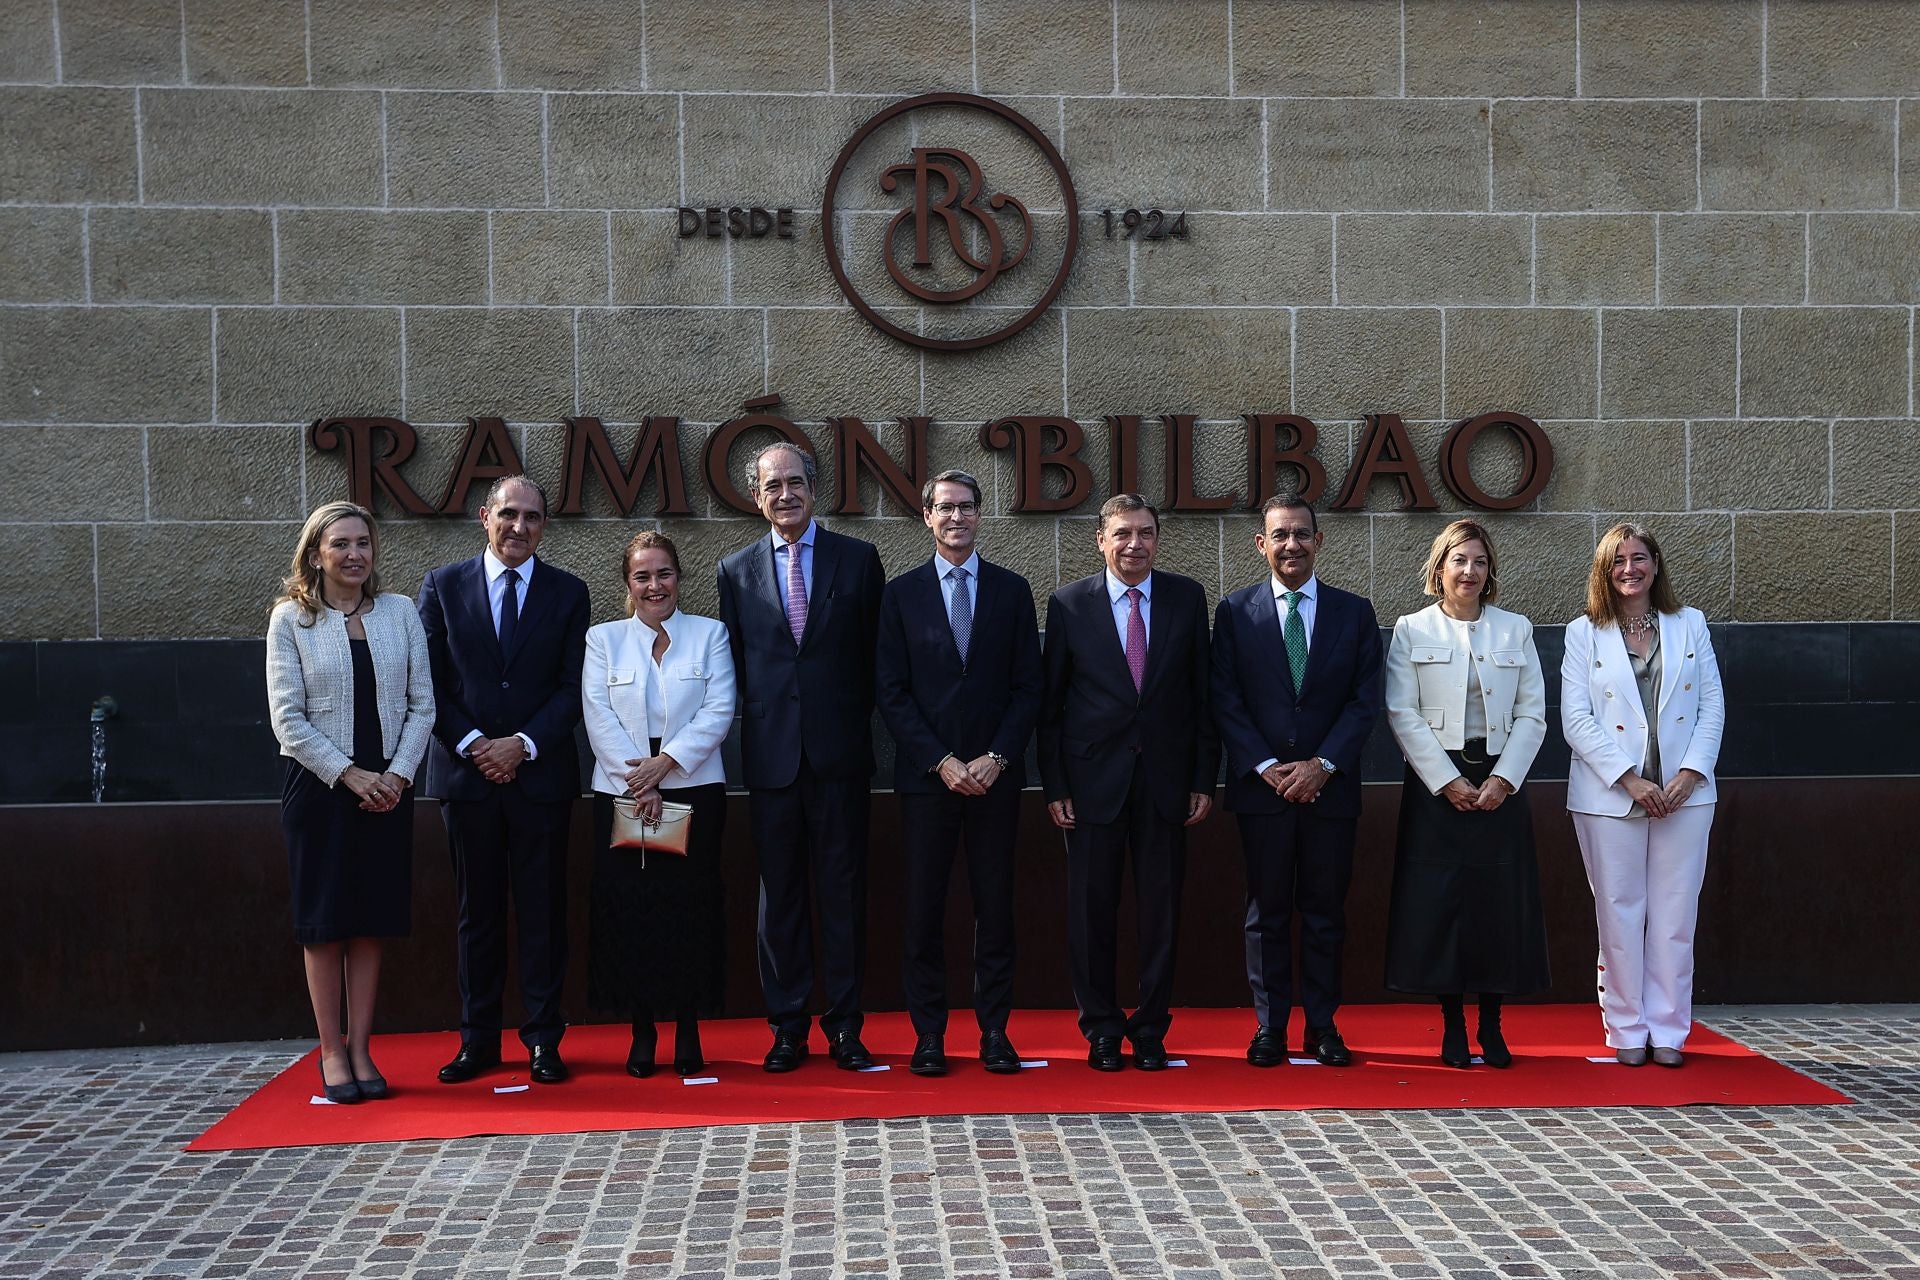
{"points": [[1466, 909]]}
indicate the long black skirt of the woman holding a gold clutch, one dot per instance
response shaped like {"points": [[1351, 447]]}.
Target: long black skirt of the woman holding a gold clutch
{"points": [[660, 920]]}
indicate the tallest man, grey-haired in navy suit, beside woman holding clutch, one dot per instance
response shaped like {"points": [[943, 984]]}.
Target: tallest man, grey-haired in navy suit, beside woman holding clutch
{"points": [[802, 607]]}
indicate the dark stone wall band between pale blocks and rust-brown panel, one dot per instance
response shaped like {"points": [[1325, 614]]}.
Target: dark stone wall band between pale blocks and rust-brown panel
{"points": [[1806, 699]]}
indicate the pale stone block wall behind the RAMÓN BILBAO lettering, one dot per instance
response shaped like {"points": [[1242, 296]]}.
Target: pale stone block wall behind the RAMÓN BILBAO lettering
{"points": [[1683, 237]]}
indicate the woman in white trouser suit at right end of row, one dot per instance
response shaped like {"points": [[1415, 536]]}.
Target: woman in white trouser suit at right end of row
{"points": [[1643, 713]]}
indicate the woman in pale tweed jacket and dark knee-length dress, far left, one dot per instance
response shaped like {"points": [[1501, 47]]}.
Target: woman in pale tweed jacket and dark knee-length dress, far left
{"points": [[352, 705]]}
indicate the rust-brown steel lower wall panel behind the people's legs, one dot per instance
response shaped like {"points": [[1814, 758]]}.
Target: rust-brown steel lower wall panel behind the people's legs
{"points": [[168, 924]]}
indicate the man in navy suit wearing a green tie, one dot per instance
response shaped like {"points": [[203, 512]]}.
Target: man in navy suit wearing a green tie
{"points": [[1297, 686]]}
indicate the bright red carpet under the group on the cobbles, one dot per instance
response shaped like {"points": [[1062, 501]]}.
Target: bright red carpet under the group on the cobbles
{"points": [[1395, 1051]]}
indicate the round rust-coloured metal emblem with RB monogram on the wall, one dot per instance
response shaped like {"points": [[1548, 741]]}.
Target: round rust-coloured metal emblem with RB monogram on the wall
{"points": [[965, 237]]}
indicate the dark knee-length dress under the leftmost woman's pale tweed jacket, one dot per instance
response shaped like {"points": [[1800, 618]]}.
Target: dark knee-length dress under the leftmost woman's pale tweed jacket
{"points": [[350, 870]]}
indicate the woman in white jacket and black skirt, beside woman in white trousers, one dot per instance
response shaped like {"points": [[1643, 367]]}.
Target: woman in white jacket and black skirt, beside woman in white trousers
{"points": [[1468, 705]]}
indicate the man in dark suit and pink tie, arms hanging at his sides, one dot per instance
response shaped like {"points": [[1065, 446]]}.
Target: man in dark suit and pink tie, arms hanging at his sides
{"points": [[1128, 761]]}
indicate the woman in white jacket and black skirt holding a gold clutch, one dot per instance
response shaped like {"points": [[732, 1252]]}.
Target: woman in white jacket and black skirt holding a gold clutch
{"points": [[660, 701]]}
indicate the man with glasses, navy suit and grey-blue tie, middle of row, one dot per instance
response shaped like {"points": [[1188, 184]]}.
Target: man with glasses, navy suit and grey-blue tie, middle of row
{"points": [[959, 684]]}
